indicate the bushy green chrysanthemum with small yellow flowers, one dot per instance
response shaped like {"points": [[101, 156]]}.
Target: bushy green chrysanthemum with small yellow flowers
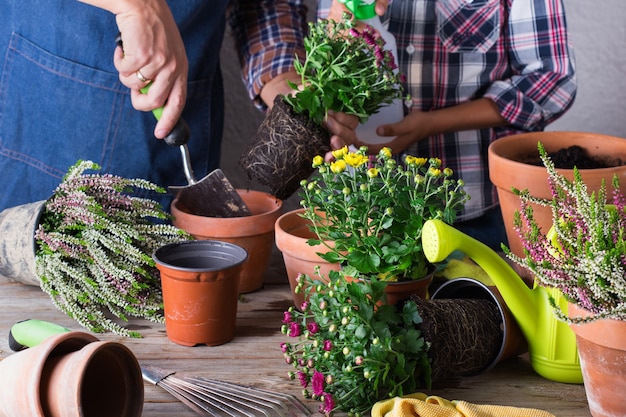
{"points": [[370, 211]]}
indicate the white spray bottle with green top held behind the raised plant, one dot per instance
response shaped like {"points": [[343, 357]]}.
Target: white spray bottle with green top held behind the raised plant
{"points": [[364, 11]]}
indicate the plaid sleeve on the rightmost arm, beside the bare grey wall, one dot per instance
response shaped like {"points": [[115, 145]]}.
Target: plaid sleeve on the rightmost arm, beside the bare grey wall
{"points": [[543, 84]]}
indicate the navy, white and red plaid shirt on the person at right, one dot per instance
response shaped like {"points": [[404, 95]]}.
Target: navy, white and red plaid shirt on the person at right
{"points": [[514, 52]]}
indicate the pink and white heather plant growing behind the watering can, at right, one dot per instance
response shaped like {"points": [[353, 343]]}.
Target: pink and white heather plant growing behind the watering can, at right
{"points": [[584, 253]]}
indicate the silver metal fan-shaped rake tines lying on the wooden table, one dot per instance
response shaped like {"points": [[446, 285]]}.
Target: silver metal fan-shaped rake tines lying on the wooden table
{"points": [[209, 397]]}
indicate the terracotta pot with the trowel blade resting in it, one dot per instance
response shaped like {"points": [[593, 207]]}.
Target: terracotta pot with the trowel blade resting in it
{"points": [[254, 233]]}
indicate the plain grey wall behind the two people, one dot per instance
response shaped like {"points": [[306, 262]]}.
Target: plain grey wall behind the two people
{"points": [[597, 31]]}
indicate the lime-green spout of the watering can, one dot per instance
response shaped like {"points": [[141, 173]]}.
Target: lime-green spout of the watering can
{"points": [[439, 240]]}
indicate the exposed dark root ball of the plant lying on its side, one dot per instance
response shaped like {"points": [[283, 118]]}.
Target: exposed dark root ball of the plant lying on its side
{"points": [[465, 335]]}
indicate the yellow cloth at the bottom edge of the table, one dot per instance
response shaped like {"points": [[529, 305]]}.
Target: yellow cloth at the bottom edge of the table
{"points": [[421, 405]]}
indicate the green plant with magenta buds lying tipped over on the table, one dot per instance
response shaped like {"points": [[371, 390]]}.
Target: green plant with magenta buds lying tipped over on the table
{"points": [[351, 348]]}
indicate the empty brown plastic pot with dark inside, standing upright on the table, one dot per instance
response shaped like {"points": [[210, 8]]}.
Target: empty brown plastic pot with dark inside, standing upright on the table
{"points": [[200, 281]]}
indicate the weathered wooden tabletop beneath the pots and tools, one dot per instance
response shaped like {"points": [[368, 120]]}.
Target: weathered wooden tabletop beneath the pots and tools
{"points": [[254, 357]]}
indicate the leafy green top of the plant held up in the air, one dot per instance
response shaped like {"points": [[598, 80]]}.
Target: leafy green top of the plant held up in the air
{"points": [[344, 70]]}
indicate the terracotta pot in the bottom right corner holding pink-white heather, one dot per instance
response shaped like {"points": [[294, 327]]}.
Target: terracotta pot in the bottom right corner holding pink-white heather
{"points": [[602, 351]]}
